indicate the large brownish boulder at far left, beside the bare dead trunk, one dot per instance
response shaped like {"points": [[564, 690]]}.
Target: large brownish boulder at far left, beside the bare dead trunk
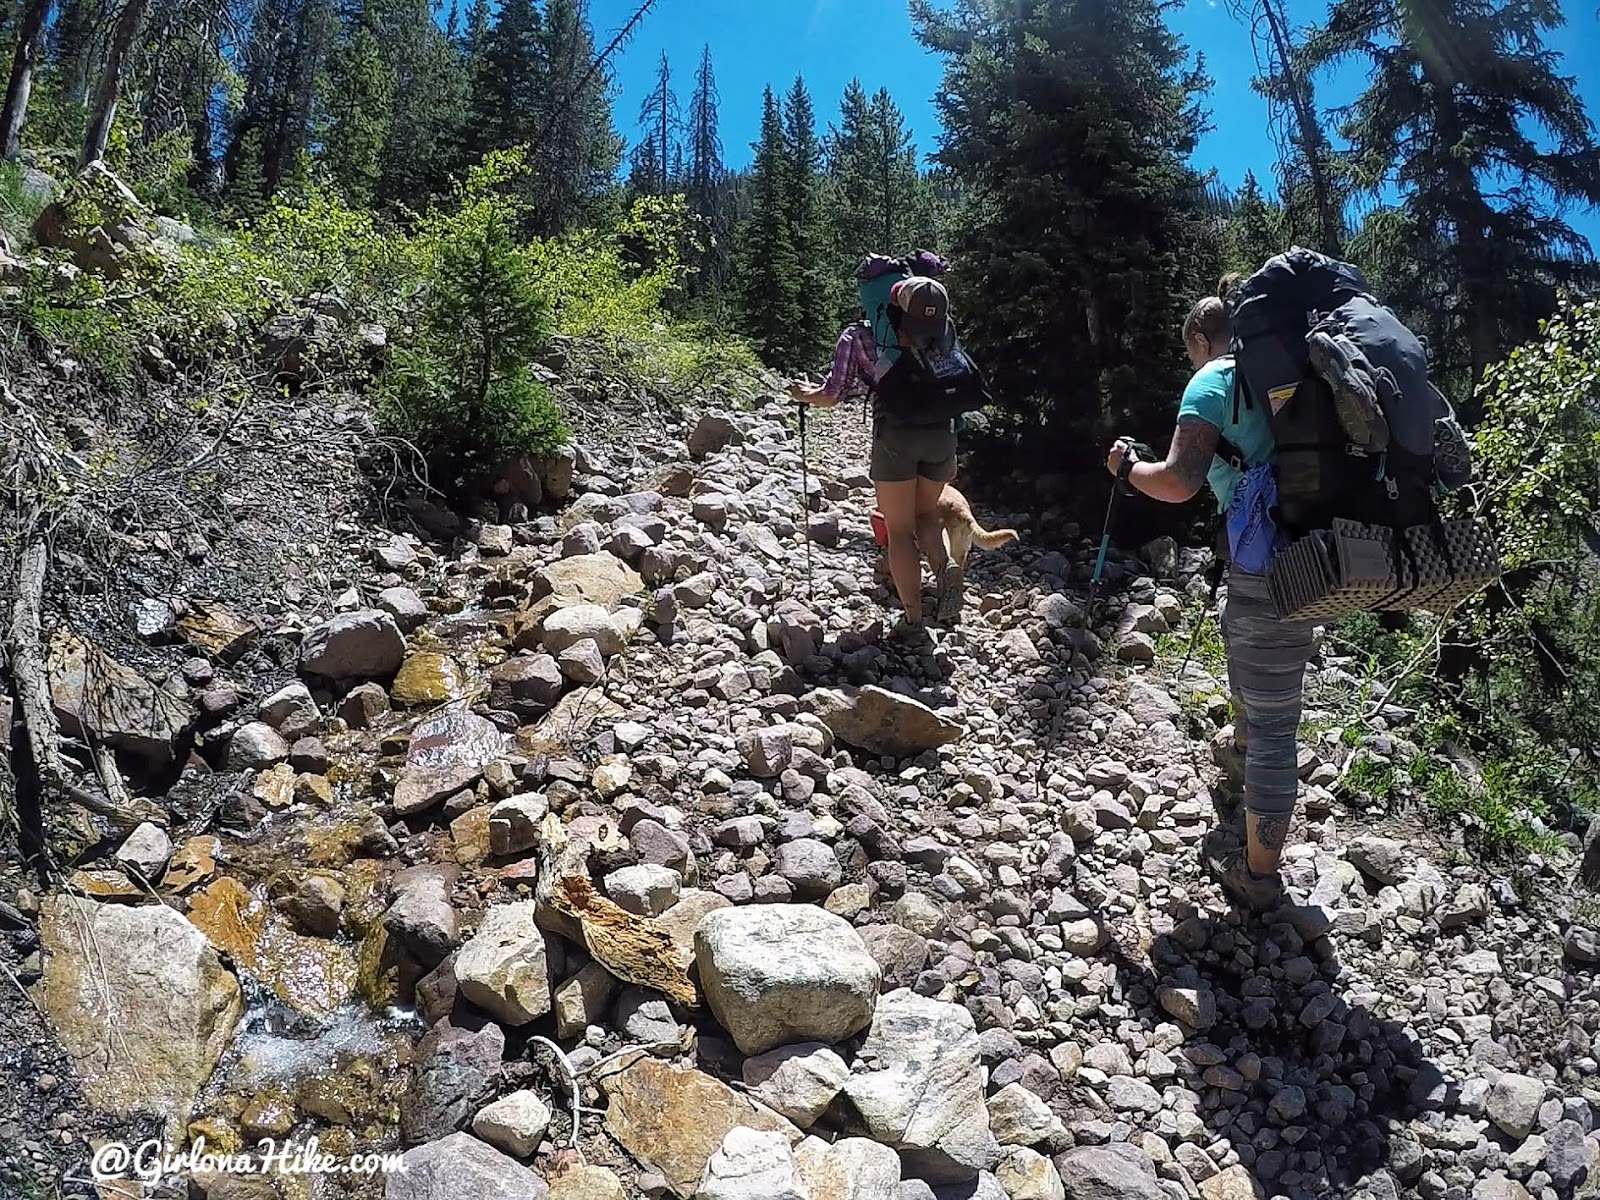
{"points": [[95, 695]]}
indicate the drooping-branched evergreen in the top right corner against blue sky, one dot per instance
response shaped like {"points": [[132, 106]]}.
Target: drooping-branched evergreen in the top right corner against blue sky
{"points": [[1458, 92]]}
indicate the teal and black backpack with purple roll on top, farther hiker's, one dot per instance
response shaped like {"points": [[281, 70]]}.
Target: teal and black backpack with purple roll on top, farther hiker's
{"points": [[927, 386]]}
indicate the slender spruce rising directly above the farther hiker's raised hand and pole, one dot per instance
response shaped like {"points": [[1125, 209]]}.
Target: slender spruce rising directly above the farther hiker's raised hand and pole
{"points": [[802, 201]]}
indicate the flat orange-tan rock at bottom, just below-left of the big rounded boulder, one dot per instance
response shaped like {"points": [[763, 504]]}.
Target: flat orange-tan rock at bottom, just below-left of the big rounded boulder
{"points": [[674, 1119]]}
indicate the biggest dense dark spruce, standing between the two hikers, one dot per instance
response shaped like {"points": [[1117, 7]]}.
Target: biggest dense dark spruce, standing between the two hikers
{"points": [[1082, 239]]}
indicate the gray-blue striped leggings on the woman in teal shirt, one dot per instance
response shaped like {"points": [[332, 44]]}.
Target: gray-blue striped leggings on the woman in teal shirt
{"points": [[1266, 673]]}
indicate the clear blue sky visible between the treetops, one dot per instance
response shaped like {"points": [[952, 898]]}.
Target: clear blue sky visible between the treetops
{"points": [[759, 42]]}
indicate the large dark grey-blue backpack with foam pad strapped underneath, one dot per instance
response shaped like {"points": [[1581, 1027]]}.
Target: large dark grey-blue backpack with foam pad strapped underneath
{"points": [[1366, 446]]}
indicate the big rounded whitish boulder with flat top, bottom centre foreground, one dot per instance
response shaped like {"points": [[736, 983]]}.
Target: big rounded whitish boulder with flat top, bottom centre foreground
{"points": [[777, 974]]}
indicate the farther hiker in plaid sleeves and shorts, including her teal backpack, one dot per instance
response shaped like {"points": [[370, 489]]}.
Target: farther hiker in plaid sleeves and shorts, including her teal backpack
{"points": [[906, 356]]}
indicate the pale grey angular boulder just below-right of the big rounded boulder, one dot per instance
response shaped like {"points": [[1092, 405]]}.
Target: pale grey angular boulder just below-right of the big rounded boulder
{"points": [[926, 1094]]}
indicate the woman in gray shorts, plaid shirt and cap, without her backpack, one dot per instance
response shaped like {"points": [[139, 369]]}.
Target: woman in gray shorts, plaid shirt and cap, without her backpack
{"points": [[910, 465]]}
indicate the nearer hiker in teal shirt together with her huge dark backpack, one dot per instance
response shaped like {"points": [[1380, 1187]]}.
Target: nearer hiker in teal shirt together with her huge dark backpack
{"points": [[1327, 449]]}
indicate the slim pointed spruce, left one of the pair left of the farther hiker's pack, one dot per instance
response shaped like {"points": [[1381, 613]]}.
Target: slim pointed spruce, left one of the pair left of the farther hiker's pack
{"points": [[769, 268]]}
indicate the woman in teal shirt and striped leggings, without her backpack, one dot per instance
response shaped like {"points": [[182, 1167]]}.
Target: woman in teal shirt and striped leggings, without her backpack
{"points": [[1266, 657]]}
